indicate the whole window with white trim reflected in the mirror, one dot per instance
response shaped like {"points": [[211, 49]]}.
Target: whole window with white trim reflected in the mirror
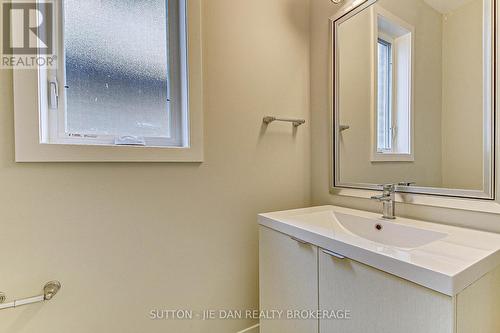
{"points": [[393, 88]]}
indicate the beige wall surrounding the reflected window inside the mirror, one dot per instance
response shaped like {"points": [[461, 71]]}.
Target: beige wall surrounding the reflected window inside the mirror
{"points": [[355, 98]]}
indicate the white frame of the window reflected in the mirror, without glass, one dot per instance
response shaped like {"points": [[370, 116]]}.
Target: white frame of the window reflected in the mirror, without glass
{"points": [[391, 155]]}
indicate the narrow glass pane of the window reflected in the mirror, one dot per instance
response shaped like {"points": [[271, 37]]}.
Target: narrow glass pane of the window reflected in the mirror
{"points": [[384, 121]]}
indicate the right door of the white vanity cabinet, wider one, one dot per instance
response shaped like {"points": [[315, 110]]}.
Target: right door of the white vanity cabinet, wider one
{"points": [[378, 302]]}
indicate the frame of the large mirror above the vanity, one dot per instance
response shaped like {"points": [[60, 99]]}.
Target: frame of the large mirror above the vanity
{"points": [[485, 201]]}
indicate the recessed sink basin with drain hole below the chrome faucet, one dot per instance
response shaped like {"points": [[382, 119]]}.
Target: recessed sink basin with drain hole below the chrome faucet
{"points": [[386, 232]]}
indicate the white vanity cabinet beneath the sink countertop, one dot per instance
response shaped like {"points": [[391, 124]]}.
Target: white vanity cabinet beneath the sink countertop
{"points": [[303, 276]]}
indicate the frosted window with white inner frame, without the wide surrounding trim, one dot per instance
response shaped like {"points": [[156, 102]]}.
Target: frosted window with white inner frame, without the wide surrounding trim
{"points": [[121, 77]]}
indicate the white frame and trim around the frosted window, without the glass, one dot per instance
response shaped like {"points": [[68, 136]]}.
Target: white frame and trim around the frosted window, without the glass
{"points": [[31, 96]]}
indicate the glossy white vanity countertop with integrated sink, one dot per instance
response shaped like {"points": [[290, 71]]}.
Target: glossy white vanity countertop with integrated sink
{"points": [[440, 257]]}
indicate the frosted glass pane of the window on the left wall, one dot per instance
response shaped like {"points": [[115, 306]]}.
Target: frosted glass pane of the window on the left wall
{"points": [[117, 67]]}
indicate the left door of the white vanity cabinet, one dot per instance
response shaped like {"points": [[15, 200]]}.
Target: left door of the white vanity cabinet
{"points": [[288, 282]]}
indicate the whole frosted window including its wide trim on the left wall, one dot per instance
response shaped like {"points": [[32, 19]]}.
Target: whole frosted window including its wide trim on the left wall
{"points": [[127, 86]]}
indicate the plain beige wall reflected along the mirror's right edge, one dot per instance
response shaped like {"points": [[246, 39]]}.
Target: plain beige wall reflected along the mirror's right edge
{"points": [[462, 122]]}
